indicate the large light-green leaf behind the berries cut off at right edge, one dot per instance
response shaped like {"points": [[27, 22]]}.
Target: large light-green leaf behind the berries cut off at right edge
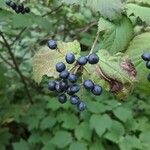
{"points": [[139, 45]]}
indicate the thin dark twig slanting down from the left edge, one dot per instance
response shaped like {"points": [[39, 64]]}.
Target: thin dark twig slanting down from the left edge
{"points": [[16, 66]]}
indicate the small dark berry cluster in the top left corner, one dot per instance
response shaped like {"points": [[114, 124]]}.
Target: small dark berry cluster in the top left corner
{"points": [[18, 8]]}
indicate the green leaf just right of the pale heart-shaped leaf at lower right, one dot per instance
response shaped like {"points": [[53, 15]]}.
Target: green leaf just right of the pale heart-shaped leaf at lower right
{"points": [[115, 132]]}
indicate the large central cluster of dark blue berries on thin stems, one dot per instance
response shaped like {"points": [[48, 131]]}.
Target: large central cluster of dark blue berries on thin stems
{"points": [[67, 85]]}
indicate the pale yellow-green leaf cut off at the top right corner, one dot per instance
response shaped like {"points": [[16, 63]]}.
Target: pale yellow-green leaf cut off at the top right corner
{"points": [[139, 11]]}
